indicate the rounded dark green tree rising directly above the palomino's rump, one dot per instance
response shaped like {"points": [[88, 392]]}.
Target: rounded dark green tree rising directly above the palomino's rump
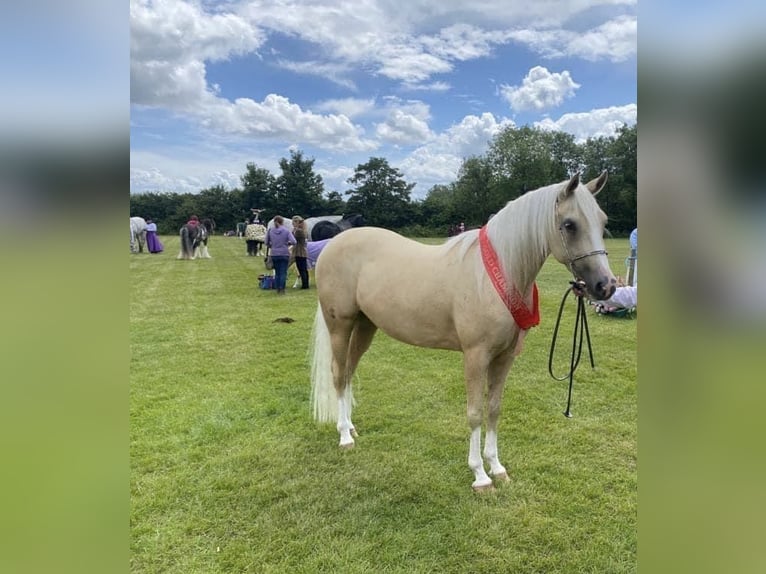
{"points": [[380, 194]]}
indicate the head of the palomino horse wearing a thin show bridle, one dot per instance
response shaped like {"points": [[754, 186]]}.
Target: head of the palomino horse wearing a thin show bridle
{"points": [[579, 236]]}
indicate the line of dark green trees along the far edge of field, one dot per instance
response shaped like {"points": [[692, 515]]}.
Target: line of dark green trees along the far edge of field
{"points": [[517, 160]]}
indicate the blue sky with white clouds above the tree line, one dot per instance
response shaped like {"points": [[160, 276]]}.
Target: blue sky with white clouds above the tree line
{"points": [[423, 83]]}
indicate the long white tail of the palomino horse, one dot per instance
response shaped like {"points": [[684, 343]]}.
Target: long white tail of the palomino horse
{"points": [[324, 399]]}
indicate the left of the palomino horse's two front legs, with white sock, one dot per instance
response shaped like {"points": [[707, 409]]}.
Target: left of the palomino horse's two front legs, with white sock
{"points": [[475, 375]]}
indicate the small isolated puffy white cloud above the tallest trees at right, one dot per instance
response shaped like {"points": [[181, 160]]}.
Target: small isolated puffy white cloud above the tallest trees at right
{"points": [[540, 90]]}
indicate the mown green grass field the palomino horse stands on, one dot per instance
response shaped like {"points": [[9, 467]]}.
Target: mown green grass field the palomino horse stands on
{"points": [[229, 473]]}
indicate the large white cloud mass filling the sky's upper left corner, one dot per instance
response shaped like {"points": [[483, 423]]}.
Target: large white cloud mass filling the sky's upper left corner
{"points": [[170, 43]]}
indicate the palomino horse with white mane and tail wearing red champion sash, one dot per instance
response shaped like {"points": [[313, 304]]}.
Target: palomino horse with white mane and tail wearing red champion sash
{"points": [[453, 296]]}
